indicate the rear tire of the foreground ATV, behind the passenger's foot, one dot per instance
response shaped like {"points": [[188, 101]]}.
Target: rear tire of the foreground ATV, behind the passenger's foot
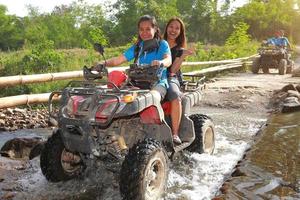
{"points": [[204, 134]]}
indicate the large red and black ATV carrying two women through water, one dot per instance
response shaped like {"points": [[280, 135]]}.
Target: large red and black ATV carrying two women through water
{"points": [[125, 128]]}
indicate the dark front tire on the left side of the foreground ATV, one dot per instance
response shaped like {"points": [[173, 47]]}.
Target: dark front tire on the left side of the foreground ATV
{"points": [[52, 165]]}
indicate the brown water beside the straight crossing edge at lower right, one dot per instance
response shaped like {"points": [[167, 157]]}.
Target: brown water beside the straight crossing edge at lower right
{"points": [[272, 167]]}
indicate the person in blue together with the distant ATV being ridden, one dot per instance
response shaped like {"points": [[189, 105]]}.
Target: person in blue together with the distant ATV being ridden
{"points": [[274, 53]]}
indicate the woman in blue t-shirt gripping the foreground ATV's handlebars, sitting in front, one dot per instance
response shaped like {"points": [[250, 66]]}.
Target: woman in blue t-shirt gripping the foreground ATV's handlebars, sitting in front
{"points": [[159, 56]]}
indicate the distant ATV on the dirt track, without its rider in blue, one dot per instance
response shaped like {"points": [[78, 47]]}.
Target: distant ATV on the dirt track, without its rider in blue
{"points": [[273, 57]]}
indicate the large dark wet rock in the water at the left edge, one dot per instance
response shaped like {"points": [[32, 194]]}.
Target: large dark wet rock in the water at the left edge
{"points": [[22, 148]]}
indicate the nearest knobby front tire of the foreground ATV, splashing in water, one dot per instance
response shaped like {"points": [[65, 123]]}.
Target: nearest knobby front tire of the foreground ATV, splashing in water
{"points": [[144, 172]]}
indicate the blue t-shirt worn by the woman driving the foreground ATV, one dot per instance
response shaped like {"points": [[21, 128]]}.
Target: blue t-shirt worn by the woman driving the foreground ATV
{"points": [[148, 57]]}
